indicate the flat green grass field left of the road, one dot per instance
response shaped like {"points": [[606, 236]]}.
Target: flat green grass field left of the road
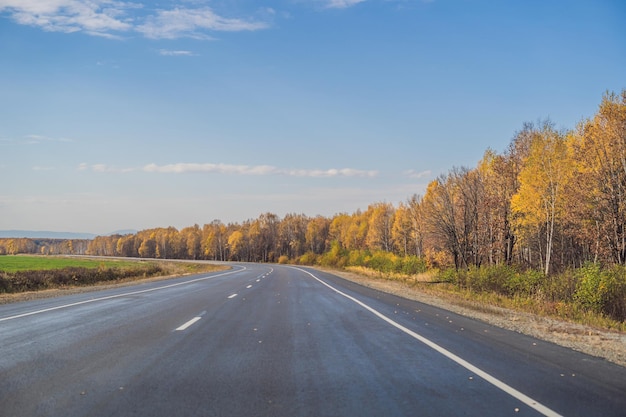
{"points": [[15, 263]]}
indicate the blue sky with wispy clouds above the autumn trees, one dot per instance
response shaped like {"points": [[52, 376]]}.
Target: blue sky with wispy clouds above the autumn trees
{"points": [[120, 114]]}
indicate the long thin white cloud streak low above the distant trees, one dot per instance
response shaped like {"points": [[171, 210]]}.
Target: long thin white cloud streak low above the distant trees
{"points": [[230, 169]]}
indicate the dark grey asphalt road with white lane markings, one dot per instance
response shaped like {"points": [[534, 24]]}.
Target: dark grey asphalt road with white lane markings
{"points": [[269, 340]]}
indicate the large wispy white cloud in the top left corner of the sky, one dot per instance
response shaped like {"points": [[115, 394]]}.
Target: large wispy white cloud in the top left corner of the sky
{"points": [[113, 18]]}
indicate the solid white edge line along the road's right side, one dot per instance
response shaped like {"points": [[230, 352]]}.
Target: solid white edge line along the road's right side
{"points": [[484, 375]]}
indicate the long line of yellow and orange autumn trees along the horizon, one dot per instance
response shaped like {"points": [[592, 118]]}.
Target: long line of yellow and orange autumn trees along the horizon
{"points": [[554, 199]]}
